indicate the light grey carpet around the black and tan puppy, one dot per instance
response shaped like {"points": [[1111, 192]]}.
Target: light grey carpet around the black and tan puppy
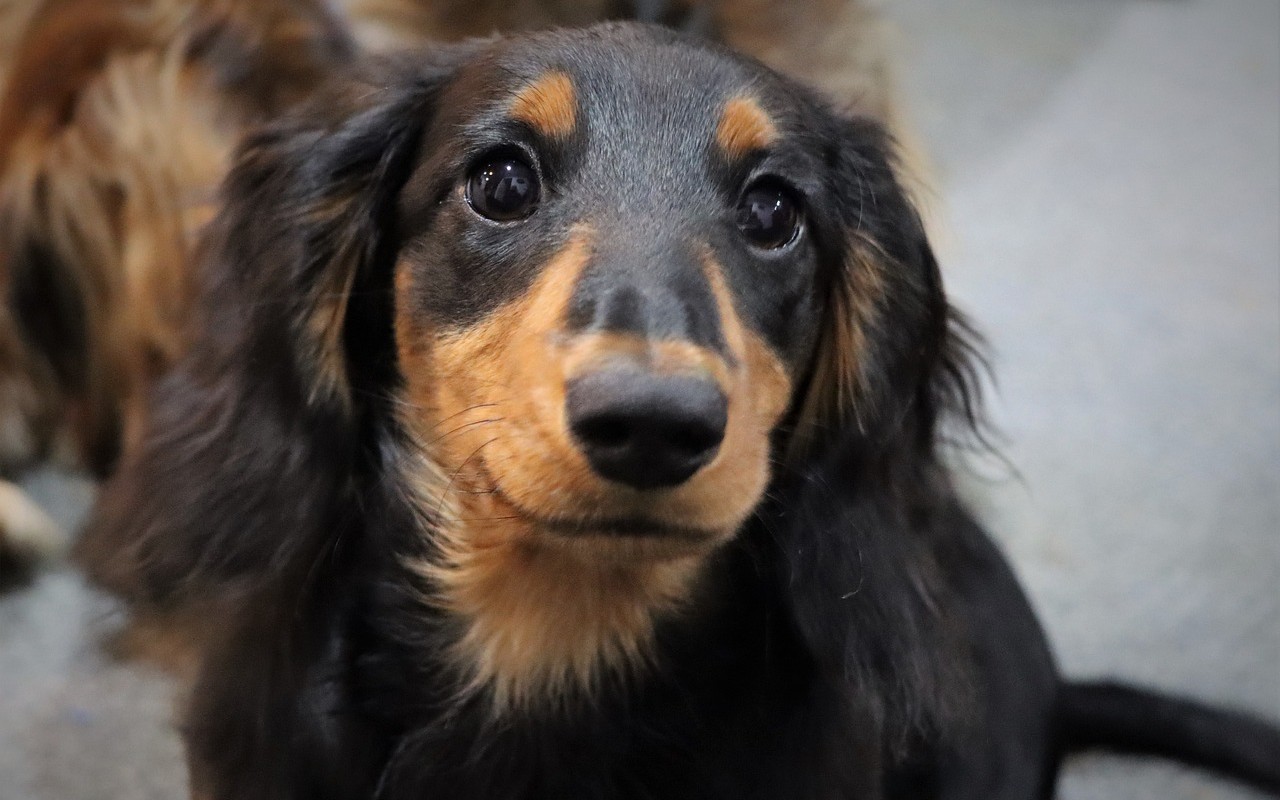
{"points": [[1110, 176]]}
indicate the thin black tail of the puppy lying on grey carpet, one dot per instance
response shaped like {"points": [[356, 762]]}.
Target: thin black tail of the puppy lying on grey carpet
{"points": [[1137, 721]]}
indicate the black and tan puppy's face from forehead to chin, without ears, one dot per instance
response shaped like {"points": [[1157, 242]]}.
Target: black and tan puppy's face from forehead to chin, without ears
{"points": [[610, 287]]}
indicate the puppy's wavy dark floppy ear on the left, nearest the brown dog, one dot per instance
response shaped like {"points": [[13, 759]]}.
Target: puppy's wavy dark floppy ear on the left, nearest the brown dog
{"points": [[254, 446]]}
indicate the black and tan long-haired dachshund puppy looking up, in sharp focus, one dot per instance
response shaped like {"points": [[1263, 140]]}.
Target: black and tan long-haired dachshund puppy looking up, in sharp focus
{"points": [[564, 419]]}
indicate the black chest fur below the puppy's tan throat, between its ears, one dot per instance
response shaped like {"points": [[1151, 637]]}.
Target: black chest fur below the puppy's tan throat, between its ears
{"points": [[734, 707]]}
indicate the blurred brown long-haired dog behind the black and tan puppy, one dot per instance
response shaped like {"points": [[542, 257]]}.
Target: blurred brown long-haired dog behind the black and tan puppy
{"points": [[117, 124]]}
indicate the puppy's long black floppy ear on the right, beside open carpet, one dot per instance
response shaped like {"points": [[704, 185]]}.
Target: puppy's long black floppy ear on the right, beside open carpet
{"points": [[865, 493]]}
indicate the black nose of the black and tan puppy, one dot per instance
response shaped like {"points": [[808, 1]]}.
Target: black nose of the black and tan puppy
{"points": [[646, 431]]}
